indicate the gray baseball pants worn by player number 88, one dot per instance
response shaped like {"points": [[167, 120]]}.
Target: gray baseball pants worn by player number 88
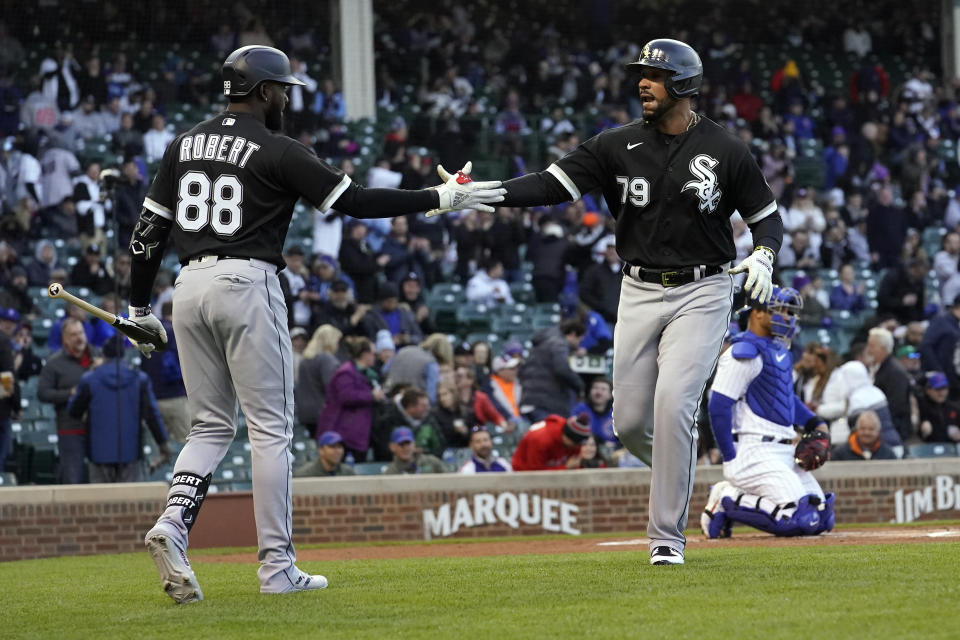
{"points": [[231, 326]]}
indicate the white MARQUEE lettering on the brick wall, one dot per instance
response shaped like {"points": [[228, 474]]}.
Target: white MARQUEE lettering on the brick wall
{"points": [[512, 509]]}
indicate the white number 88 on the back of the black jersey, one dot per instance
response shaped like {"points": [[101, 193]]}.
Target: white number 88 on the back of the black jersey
{"points": [[199, 203]]}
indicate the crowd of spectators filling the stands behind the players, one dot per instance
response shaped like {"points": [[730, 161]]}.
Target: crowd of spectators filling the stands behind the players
{"points": [[860, 170]]}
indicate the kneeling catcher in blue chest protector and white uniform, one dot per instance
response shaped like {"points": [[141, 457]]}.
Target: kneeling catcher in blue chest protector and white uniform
{"points": [[754, 414]]}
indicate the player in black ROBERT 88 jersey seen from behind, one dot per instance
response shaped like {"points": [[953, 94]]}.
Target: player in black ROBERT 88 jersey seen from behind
{"points": [[225, 190]]}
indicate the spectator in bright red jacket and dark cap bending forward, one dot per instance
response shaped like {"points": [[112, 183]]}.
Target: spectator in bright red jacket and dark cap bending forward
{"points": [[553, 443]]}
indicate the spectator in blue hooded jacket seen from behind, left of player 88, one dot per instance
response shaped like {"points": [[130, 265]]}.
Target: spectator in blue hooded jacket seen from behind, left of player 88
{"points": [[116, 399]]}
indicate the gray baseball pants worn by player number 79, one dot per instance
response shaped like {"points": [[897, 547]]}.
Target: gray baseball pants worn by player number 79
{"points": [[666, 344]]}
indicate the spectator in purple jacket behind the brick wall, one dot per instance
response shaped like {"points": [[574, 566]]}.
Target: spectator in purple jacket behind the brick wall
{"points": [[350, 398]]}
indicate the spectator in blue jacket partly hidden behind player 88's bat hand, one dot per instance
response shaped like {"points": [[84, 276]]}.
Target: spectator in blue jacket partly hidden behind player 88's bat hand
{"points": [[165, 375]]}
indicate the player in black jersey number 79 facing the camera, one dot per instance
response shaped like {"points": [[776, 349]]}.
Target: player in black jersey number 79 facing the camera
{"points": [[672, 182]]}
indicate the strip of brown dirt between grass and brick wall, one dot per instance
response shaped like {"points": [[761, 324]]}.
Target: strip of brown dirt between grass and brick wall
{"points": [[913, 535]]}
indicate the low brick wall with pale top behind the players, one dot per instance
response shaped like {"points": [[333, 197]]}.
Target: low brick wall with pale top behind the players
{"points": [[52, 521]]}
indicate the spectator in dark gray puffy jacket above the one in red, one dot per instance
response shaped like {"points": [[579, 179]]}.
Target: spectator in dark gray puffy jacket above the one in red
{"points": [[549, 384]]}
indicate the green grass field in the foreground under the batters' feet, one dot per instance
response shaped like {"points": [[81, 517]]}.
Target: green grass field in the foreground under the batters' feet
{"points": [[871, 591]]}
